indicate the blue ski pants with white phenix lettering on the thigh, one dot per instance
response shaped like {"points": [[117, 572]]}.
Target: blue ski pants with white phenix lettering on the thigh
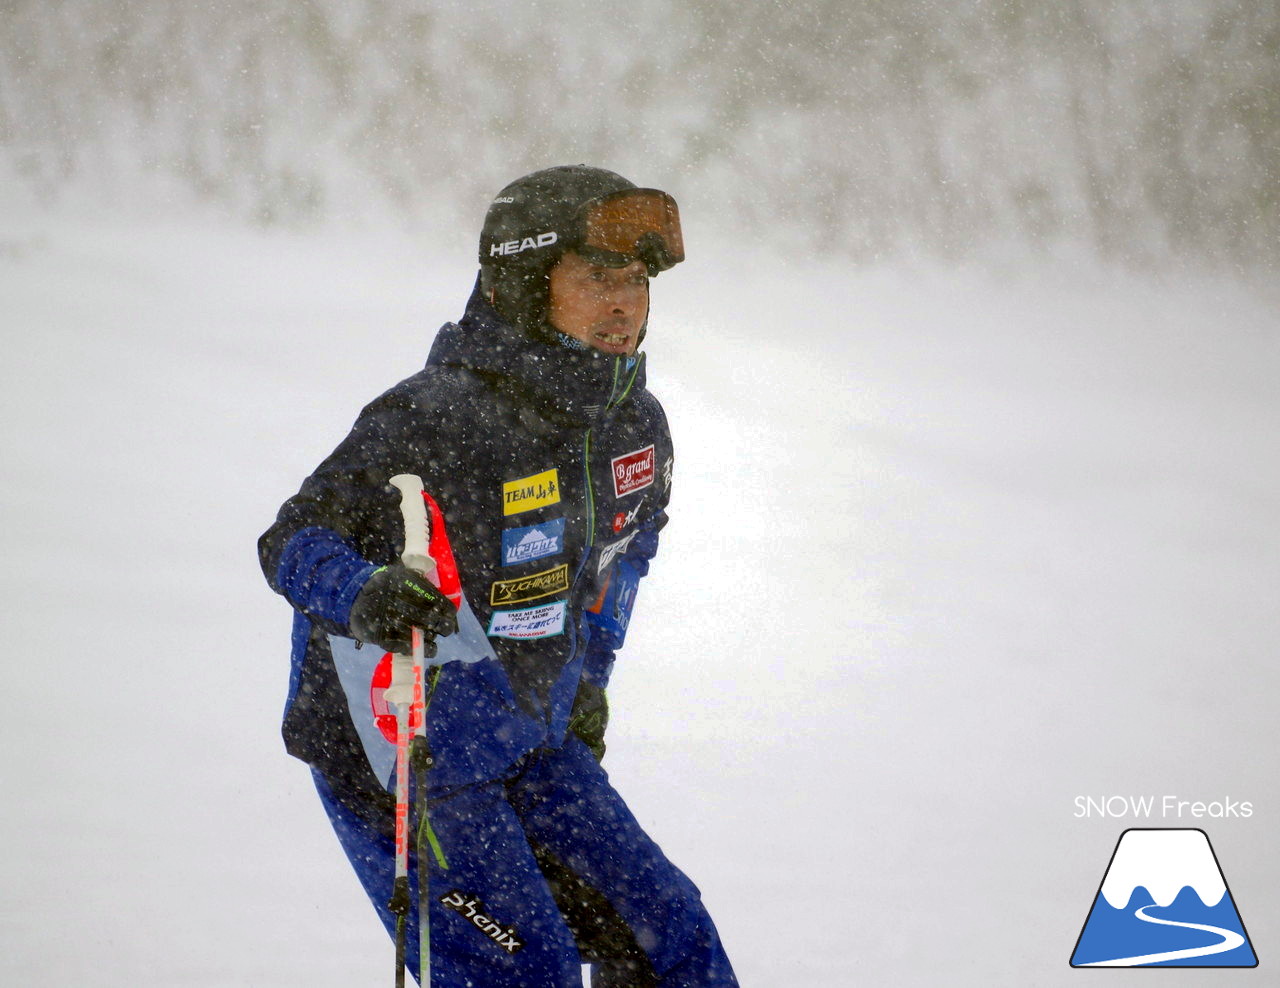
{"points": [[538, 866]]}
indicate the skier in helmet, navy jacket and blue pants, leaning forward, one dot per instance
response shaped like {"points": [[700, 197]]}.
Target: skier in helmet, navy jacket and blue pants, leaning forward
{"points": [[551, 463]]}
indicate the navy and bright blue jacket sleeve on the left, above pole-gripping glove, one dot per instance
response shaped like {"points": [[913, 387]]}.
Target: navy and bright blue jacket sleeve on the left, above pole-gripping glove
{"points": [[344, 523]]}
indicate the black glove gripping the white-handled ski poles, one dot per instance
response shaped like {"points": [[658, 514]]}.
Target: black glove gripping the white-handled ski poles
{"points": [[396, 600]]}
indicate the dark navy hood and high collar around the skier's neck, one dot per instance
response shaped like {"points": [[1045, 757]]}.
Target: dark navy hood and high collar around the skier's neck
{"points": [[566, 386]]}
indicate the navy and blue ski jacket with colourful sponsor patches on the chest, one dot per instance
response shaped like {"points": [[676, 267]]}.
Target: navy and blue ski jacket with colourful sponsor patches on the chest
{"points": [[554, 470]]}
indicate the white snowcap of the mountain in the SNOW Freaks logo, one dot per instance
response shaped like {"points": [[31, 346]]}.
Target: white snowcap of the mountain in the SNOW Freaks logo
{"points": [[1164, 863]]}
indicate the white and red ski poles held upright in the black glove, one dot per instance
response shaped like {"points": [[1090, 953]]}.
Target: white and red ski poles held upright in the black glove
{"points": [[406, 696]]}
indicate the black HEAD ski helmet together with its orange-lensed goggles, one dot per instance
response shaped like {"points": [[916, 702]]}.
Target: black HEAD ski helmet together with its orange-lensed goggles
{"points": [[536, 219]]}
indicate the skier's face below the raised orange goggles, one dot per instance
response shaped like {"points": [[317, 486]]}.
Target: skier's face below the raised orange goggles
{"points": [[602, 307]]}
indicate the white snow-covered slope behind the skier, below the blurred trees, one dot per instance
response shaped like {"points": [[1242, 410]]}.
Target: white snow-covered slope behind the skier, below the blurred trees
{"points": [[949, 548]]}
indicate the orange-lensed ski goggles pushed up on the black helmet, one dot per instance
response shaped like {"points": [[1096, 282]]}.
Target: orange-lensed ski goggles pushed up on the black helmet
{"points": [[637, 223]]}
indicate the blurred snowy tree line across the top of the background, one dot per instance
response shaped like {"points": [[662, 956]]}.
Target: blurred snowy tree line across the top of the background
{"points": [[1146, 129]]}
